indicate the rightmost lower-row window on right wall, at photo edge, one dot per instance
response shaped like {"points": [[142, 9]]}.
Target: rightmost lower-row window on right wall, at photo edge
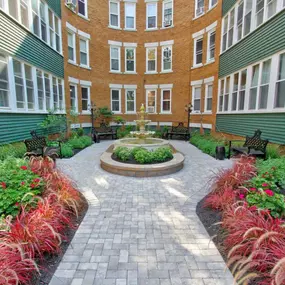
{"points": [[280, 85]]}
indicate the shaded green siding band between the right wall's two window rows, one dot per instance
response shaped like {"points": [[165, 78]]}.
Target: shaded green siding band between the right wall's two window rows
{"points": [[265, 41]]}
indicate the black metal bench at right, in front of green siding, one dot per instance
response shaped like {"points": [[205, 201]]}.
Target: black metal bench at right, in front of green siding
{"points": [[254, 146]]}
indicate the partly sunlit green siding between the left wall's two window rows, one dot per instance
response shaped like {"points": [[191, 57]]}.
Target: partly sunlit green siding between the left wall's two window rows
{"points": [[18, 42]]}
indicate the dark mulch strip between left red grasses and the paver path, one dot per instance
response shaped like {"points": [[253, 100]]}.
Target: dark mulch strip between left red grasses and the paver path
{"points": [[51, 262]]}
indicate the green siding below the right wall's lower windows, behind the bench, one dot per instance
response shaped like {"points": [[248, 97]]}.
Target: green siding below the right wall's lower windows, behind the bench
{"points": [[272, 125]]}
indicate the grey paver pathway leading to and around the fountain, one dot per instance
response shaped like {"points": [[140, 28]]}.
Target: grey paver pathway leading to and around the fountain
{"points": [[142, 230]]}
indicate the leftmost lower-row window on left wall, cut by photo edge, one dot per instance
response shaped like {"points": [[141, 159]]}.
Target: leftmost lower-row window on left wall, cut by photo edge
{"points": [[4, 83]]}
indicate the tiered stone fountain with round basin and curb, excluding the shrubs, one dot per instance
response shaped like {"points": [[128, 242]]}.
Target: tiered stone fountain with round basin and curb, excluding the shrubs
{"points": [[143, 139]]}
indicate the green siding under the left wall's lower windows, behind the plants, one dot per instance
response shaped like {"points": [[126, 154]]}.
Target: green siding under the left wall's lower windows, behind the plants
{"points": [[17, 127]]}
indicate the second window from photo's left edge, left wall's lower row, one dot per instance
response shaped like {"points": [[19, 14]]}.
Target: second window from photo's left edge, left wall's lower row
{"points": [[19, 84]]}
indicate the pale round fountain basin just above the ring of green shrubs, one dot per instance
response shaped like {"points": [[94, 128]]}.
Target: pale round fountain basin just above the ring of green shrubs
{"points": [[147, 143]]}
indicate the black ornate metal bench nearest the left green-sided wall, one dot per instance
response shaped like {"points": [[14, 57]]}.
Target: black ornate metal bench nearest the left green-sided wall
{"points": [[37, 146]]}
